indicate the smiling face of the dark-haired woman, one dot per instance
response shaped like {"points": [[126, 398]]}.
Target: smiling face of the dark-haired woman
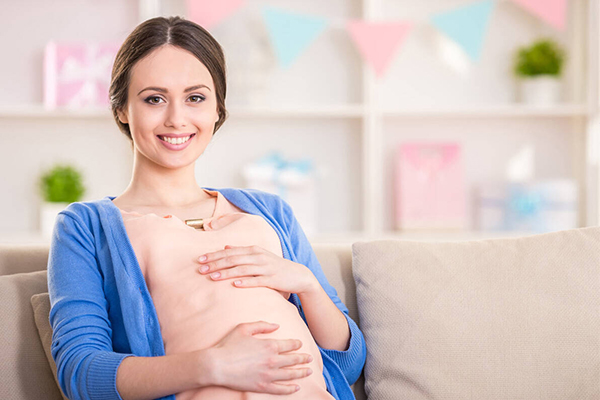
{"points": [[171, 93]]}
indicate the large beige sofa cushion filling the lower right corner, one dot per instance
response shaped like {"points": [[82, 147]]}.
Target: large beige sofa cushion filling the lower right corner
{"points": [[514, 318]]}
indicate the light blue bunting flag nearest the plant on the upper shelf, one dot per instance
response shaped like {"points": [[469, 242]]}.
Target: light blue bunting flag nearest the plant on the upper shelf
{"points": [[466, 25]]}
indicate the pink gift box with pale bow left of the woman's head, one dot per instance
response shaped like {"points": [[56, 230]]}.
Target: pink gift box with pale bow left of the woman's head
{"points": [[77, 75]]}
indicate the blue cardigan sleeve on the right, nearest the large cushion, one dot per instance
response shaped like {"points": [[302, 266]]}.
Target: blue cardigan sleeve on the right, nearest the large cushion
{"points": [[352, 360]]}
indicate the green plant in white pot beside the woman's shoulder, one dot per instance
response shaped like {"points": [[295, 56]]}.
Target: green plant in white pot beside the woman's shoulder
{"points": [[59, 186]]}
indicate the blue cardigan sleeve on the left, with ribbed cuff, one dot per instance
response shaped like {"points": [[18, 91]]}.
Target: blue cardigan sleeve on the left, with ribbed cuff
{"points": [[81, 330]]}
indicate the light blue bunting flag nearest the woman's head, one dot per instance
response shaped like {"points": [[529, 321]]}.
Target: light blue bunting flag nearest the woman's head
{"points": [[291, 33]]}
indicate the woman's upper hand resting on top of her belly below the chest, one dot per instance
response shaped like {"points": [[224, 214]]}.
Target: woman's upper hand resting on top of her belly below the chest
{"points": [[254, 266]]}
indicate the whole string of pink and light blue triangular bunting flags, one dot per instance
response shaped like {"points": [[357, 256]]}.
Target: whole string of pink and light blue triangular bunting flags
{"points": [[291, 33]]}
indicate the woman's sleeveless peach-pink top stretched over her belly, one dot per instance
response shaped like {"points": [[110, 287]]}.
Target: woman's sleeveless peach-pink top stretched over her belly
{"points": [[196, 312]]}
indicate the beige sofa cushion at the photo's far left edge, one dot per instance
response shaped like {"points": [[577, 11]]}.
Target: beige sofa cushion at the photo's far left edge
{"points": [[25, 373]]}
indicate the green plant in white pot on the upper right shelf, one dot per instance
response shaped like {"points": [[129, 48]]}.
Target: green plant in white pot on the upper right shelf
{"points": [[539, 69]]}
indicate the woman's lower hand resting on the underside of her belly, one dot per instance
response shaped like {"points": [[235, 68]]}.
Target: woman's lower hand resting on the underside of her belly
{"points": [[245, 363]]}
